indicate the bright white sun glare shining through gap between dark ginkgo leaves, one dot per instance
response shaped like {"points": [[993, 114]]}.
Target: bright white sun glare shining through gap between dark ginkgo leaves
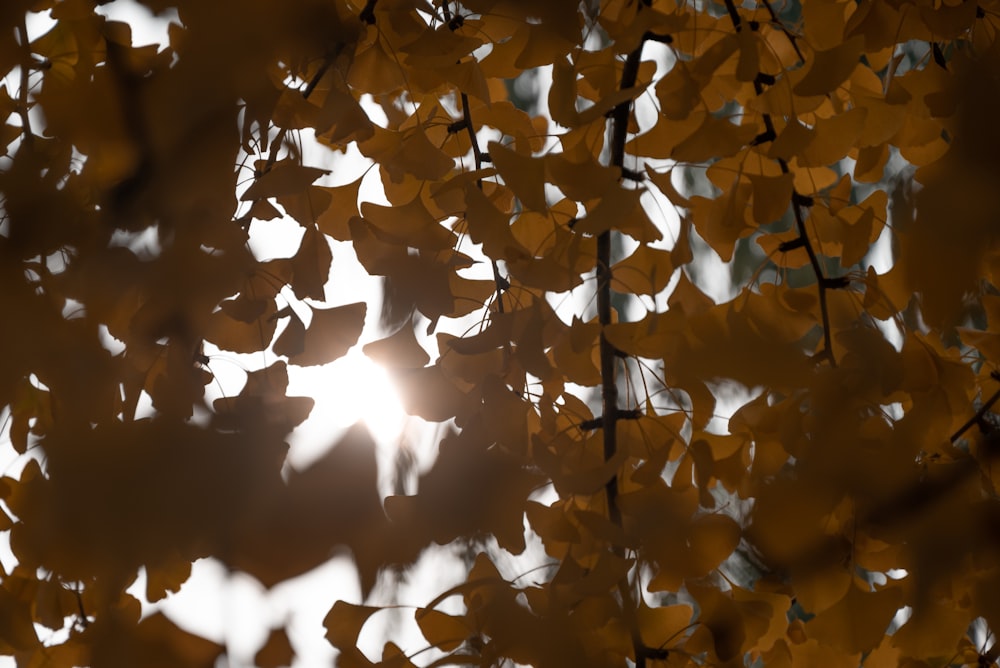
{"points": [[347, 390]]}
